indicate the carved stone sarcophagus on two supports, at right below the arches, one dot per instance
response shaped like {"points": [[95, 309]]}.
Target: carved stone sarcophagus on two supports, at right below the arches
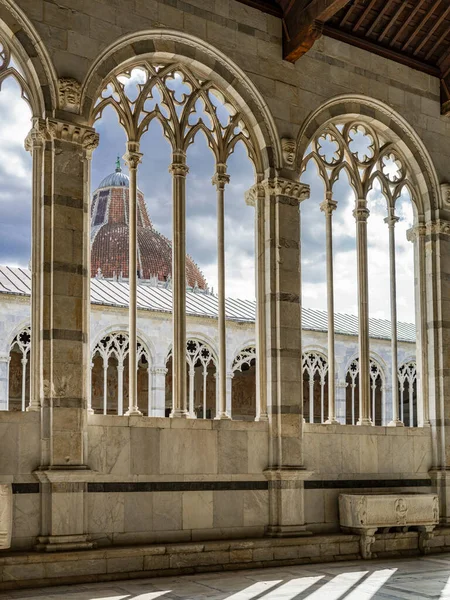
{"points": [[366, 513]]}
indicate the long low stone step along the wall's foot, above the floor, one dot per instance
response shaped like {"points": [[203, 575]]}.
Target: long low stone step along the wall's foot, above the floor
{"points": [[22, 570]]}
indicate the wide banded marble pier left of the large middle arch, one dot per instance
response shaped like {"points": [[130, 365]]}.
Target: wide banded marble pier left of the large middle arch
{"points": [[63, 278]]}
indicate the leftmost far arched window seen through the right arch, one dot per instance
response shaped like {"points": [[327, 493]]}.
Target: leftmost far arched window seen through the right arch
{"points": [[315, 386]]}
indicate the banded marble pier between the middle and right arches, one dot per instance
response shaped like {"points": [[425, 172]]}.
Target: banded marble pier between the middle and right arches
{"points": [[286, 472]]}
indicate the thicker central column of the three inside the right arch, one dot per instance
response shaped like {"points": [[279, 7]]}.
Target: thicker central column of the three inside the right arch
{"points": [[361, 214]]}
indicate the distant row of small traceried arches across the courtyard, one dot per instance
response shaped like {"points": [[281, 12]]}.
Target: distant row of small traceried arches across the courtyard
{"points": [[109, 381]]}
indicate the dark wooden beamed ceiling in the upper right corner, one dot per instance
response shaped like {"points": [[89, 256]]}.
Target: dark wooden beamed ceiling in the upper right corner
{"points": [[412, 32]]}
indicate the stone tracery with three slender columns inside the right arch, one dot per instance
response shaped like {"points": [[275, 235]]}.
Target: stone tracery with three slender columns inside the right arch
{"points": [[369, 157]]}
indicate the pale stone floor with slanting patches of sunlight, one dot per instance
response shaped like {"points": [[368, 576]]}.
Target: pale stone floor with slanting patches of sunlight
{"points": [[427, 577]]}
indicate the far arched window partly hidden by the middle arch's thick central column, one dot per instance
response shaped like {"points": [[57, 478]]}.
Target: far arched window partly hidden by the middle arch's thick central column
{"points": [[201, 366]]}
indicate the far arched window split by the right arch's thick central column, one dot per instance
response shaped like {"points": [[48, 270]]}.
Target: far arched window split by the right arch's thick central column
{"points": [[377, 394]]}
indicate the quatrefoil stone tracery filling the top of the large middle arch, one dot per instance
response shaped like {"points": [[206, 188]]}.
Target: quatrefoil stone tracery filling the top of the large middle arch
{"points": [[183, 103]]}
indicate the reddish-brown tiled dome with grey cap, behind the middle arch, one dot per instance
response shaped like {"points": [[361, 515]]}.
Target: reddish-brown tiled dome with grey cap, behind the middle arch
{"points": [[109, 237]]}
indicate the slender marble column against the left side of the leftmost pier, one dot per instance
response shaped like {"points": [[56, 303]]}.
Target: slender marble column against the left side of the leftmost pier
{"points": [[34, 143]]}
